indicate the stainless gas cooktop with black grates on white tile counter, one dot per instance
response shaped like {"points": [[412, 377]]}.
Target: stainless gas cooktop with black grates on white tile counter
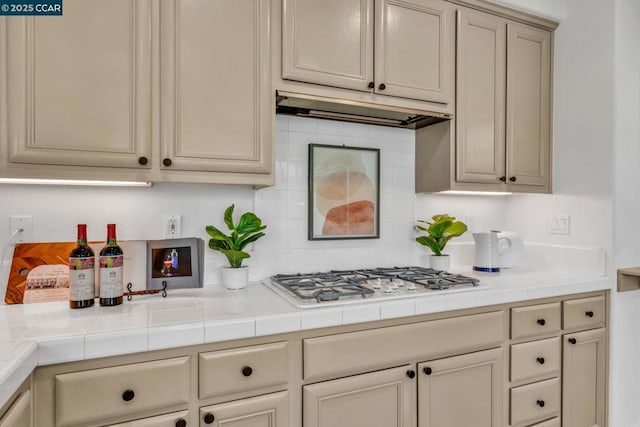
{"points": [[339, 287]]}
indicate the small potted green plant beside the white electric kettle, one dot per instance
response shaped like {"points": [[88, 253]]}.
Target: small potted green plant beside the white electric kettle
{"points": [[438, 232]]}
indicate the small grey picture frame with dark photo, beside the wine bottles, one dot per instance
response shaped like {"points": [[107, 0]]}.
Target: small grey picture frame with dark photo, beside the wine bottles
{"points": [[175, 261]]}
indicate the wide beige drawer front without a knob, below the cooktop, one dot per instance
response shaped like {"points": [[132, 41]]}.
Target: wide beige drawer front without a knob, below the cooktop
{"points": [[355, 352]]}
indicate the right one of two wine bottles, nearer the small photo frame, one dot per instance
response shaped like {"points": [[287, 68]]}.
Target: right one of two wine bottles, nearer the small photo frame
{"points": [[111, 262]]}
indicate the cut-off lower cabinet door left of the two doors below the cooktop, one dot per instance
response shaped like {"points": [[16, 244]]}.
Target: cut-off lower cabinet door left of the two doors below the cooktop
{"points": [[270, 410]]}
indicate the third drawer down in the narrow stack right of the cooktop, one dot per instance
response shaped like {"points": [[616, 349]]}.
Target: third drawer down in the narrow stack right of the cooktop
{"points": [[535, 401]]}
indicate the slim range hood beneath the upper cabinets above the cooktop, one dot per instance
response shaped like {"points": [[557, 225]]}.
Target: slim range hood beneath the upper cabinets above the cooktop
{"points": [[354, 111]]}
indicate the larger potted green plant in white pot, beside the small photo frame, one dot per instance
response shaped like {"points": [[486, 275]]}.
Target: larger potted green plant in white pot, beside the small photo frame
{"points": [[248, 229]]}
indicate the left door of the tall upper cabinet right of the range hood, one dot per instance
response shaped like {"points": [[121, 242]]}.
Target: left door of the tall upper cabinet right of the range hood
{"points": [[480, 97]]}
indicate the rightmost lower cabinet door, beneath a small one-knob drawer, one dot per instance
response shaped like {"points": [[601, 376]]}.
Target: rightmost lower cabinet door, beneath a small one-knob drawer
{"points": [[583, 379]]}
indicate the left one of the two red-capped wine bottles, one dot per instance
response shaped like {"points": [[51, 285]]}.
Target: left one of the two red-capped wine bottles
{"points": [[82, 272]]}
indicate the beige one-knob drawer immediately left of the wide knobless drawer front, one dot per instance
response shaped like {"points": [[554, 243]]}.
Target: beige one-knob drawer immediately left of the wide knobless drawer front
{"points": [[241, 369]]}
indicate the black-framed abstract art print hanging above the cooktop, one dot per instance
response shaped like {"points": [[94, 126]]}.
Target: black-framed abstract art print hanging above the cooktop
{"points": [[344, 192]]}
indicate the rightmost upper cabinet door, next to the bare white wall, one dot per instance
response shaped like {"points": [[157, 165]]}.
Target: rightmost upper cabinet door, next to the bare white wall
{"points": [[528, 105]]}
